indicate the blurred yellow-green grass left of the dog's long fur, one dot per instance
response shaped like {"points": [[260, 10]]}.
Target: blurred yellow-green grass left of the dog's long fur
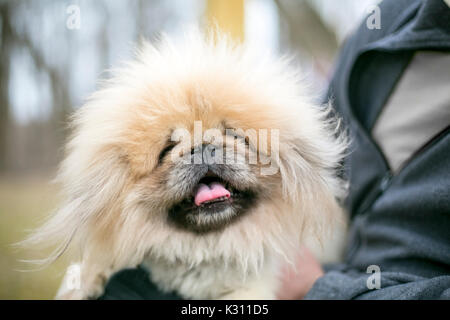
{"points": [[24, 203]]}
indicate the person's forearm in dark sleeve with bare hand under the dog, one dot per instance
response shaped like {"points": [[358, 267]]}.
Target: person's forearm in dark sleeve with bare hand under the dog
{"points": [[311, 283]]}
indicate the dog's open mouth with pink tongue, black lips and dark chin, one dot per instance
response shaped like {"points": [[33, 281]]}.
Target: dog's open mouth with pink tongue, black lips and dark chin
{"points": [[213, 204]]}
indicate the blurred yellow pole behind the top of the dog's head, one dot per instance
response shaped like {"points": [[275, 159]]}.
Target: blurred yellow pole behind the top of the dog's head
{"points": [[228, 15]]}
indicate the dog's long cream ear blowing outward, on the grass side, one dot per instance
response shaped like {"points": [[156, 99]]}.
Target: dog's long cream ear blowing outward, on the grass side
{"points": [[92, 182]]}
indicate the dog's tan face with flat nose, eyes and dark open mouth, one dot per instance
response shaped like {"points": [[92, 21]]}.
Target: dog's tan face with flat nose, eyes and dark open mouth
{"points": [[213, 161]]}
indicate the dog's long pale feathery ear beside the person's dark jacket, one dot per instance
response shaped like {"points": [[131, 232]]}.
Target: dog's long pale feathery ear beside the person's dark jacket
{"points": [[309, 162]]}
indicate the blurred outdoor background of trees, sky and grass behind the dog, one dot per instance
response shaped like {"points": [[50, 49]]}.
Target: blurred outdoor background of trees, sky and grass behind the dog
{"points": [[50, 65]]}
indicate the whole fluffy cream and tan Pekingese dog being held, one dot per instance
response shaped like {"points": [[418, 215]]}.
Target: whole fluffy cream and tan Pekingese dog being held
{"points": [[203, 161]]}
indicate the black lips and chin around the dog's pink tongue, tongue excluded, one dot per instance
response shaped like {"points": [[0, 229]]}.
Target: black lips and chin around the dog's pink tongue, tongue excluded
{"points": [[213, 215]]}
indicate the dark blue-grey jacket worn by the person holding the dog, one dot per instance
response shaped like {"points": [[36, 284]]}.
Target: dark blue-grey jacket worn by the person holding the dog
{"points": [[400, 222]]}
